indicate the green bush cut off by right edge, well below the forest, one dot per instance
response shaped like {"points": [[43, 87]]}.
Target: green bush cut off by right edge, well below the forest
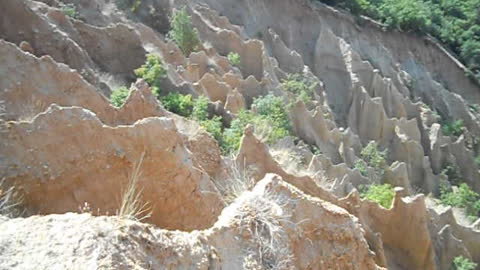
{"points": [[463, 197]]}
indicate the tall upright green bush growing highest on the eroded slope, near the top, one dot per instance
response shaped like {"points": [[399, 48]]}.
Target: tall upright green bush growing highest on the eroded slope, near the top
{"points": [[183, 32]]}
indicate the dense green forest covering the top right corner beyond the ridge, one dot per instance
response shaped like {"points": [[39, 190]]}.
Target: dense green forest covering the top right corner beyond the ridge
{"points": [[454, 22]]}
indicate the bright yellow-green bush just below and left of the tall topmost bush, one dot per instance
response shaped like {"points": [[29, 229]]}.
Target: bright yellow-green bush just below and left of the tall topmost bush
{"points": [[152, 72]]}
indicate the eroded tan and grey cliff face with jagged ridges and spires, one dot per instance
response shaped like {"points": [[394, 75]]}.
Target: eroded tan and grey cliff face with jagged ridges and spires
{"points": [[64, 148]]}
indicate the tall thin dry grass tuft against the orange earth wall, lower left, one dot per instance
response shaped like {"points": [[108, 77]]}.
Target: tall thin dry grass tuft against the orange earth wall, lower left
{"points": [[132, 206]]}
